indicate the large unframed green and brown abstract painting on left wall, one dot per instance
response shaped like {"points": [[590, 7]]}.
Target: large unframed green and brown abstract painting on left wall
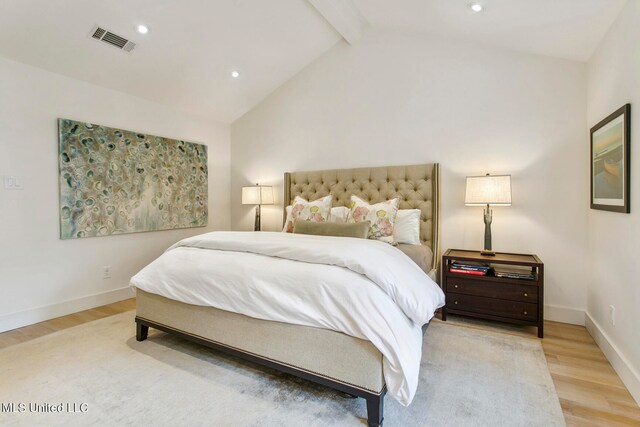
{"points": [[114, 181]]}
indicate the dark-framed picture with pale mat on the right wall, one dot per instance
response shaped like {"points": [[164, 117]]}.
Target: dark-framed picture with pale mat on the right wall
{"points": [[610, 162]]}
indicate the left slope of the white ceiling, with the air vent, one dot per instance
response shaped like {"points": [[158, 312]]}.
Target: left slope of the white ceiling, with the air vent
{"points": [[188, 55]]}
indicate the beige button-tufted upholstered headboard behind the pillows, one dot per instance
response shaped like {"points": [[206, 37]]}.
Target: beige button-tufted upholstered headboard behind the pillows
{"points": [[417, 186]]}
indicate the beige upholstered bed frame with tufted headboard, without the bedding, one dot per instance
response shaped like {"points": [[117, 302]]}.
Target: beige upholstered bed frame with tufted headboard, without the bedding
{"points": [[306, 351]]}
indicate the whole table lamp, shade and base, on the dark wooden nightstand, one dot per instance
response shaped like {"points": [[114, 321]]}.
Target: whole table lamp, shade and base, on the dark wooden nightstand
{"points": [[489, 190]]}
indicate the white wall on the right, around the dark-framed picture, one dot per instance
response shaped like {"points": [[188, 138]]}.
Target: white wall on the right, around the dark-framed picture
{"points": [[614, 238]]}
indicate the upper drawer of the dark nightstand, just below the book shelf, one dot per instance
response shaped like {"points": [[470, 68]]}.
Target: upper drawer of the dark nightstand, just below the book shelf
{"points": [[484, 288]]}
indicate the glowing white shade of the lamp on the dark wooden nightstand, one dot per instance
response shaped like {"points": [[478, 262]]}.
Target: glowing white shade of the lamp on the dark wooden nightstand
{"points": [[488, 190]]}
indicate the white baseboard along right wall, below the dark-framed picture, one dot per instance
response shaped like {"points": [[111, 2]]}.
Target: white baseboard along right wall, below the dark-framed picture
{"points": [[620, 363]]}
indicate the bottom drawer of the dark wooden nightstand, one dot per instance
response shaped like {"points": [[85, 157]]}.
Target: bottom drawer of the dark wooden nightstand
{"points": [[492, 306]]}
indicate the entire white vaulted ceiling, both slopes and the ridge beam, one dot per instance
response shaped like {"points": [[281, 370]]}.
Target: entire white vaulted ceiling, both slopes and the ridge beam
{"points": [[187, 58]]}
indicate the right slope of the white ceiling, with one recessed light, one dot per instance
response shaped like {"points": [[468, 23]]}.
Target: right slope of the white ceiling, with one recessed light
{"points": [[568, 29]]}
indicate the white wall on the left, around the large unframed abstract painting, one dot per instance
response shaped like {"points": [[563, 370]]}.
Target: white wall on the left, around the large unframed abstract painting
{"points": [[42, 276]]}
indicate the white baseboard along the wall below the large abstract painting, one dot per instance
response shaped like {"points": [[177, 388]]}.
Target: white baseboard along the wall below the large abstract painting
{"points": [[40, 314]]}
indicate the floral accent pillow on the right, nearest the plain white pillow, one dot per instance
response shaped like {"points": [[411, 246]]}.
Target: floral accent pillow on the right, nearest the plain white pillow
{"points": [[382, 216]]}
